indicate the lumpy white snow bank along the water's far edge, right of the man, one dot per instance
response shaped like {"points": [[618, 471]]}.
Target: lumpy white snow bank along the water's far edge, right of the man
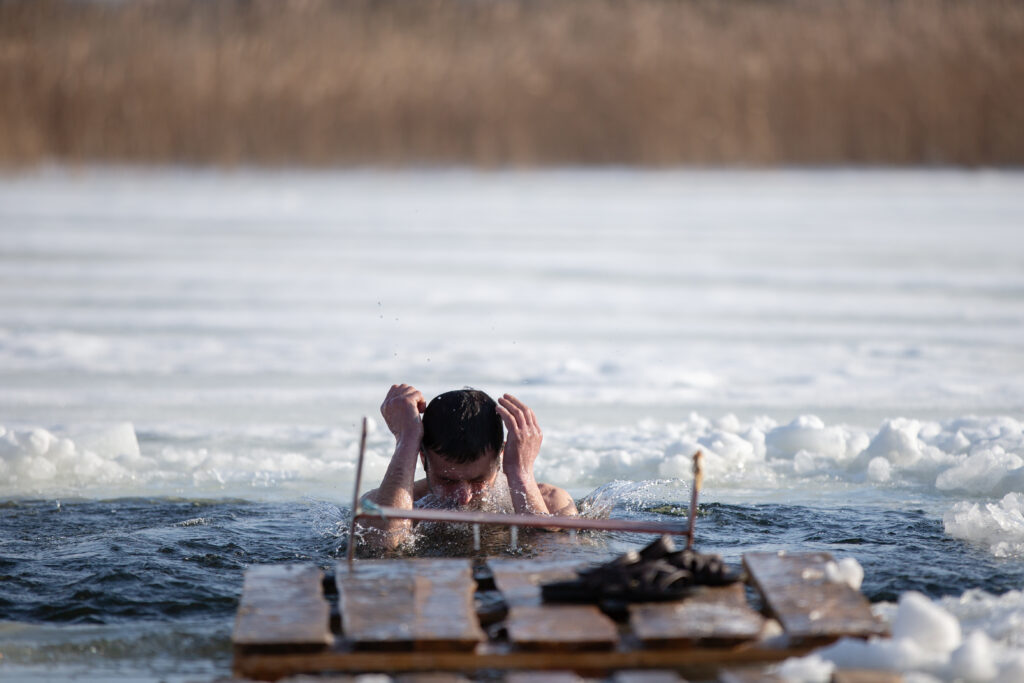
{"points": [[971, 456]]}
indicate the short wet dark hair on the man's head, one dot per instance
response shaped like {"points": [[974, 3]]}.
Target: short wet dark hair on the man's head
{"points": [[463, 425]]}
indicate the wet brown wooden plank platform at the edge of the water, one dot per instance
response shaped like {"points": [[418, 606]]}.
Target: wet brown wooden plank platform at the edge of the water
{"points": [[407, 618]]}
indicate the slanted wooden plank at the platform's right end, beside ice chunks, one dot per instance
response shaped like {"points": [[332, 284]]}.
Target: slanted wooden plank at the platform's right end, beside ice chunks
{"points": [[809, 607]]}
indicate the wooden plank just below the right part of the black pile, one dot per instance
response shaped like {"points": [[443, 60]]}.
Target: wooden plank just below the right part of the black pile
{"points": [[714, 617]]}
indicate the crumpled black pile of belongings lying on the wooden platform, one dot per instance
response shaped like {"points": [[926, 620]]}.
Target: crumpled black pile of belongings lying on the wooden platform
{"points": [[658, 573]]}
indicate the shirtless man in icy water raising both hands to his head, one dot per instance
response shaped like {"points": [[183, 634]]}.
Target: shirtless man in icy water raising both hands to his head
{"points": [[459, 441]]}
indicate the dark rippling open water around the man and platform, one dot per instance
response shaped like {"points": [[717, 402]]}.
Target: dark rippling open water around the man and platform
{"points": [[169, 572]]}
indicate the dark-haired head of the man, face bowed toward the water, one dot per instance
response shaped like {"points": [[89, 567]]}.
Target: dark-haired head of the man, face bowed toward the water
{"points": [[462, 440]]}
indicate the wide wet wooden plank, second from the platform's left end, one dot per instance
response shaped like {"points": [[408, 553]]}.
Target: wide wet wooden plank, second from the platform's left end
{"points": [[409, 605]]}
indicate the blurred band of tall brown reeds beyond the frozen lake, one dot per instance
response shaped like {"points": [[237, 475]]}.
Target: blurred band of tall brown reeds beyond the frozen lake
{"points": [[515, 82]]}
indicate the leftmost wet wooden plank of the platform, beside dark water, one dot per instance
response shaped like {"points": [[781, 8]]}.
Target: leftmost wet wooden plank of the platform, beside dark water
{"points": [[283, 607]]}
